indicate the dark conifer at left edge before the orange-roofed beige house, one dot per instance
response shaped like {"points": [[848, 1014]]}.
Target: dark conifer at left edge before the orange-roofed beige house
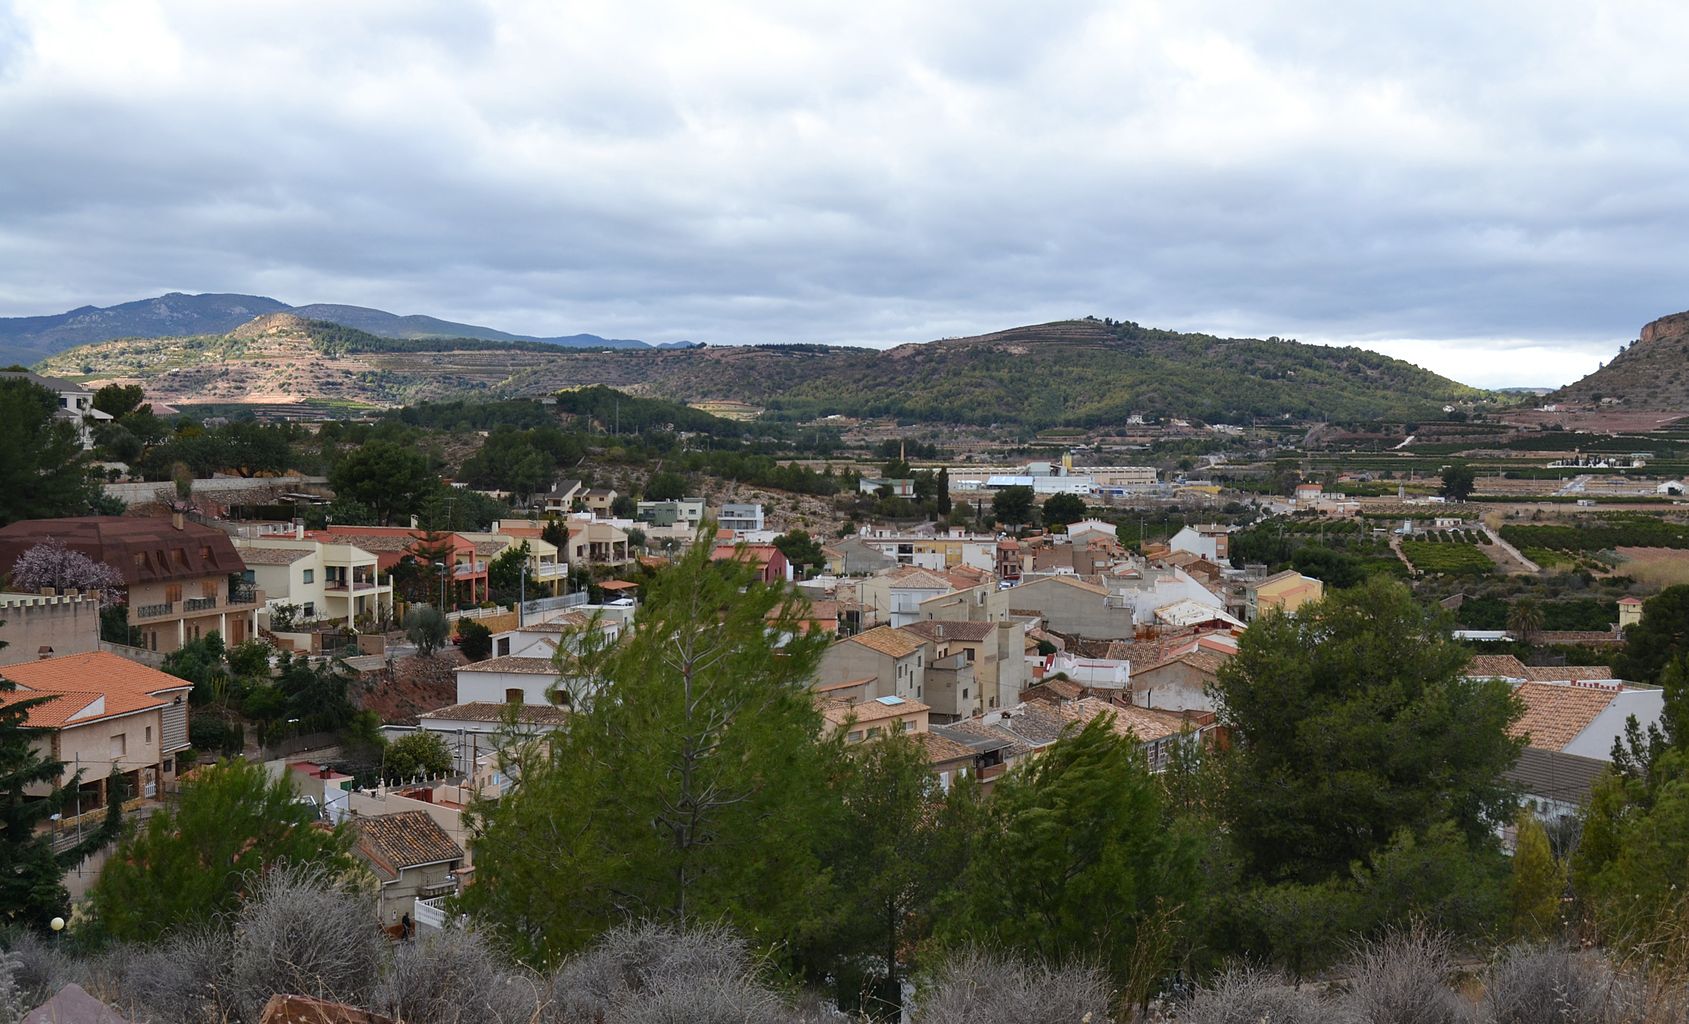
{"points": [[31, 873]]}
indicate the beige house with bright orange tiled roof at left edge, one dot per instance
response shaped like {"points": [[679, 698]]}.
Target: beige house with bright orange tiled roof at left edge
{"points": [[104, 712]]}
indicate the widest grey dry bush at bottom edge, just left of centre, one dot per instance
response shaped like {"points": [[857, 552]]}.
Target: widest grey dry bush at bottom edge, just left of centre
{"points": [[648, 974]]}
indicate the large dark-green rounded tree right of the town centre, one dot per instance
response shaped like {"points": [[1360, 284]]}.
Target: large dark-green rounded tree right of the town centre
{"points": [[1354, 721]]}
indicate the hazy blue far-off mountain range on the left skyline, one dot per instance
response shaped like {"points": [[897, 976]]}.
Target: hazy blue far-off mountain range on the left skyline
{"points": [[33, 339]]}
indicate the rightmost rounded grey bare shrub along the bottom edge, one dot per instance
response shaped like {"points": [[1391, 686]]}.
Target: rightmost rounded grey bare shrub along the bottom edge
{"points": [[1534, 984]]}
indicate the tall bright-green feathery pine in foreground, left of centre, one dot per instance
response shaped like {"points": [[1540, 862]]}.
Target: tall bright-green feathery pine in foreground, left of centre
{"points": [[688, 785]]}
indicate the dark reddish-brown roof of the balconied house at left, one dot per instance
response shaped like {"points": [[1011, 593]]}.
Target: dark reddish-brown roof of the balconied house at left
{"points": [[143, 550]]}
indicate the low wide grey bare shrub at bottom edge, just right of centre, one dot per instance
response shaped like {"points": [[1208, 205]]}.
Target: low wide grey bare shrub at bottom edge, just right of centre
{"points": [[977, 988]]}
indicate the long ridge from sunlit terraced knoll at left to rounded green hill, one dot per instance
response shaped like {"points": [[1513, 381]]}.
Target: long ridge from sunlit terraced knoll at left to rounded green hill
{"points": [[1078, 374]]}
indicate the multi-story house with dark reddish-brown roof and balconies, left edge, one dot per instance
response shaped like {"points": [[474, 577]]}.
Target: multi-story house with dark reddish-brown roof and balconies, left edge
{"points": [[182, 580]]}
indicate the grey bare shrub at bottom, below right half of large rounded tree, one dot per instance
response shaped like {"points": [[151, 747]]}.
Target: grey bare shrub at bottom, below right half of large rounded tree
{"points": [[1404, 979]]}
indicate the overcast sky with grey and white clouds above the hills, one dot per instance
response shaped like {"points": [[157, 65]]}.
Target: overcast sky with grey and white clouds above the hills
{"points": [[1499, 192]]}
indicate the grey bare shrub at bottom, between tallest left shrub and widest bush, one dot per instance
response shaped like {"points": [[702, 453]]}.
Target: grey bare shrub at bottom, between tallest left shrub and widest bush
{"points": [[457, 978]]}
